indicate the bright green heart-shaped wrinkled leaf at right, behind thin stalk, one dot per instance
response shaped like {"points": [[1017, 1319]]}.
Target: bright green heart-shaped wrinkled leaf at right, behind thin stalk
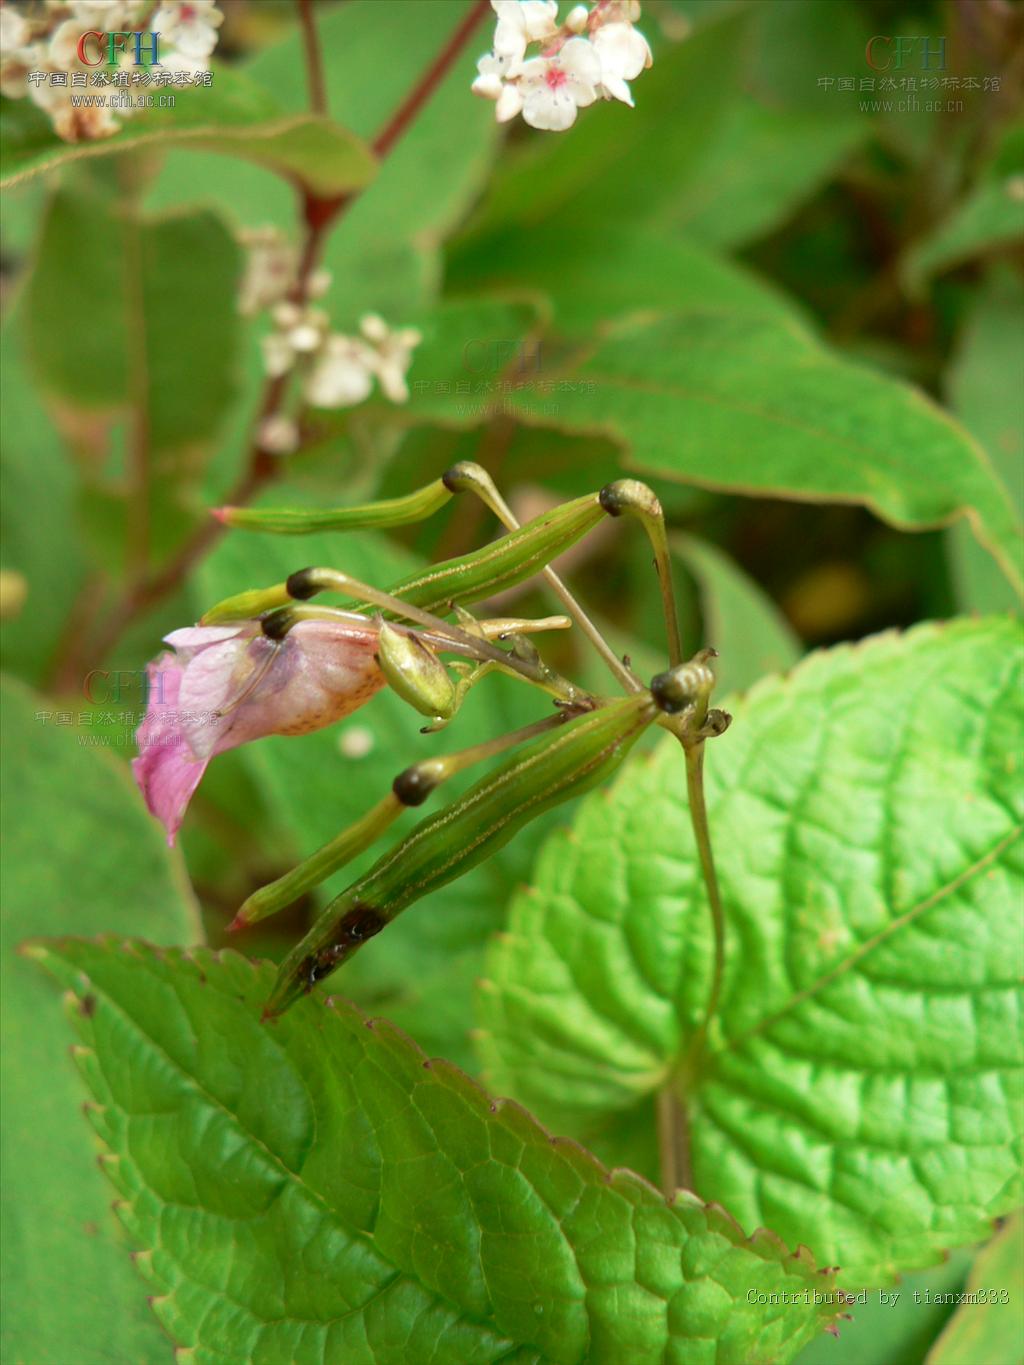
{"points": [[861, 1091]]}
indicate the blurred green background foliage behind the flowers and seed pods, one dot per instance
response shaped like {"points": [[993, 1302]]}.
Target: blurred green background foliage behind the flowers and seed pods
{"points": [[749, 240]]}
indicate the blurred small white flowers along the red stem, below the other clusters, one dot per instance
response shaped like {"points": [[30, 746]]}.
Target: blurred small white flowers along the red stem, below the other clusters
{"points": [[338, 371]]}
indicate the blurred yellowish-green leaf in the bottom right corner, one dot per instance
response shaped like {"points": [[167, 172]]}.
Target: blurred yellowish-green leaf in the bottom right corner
{"points": [[986, 1326]]}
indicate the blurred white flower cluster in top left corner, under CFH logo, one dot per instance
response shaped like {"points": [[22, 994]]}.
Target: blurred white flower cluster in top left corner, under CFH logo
{"points": [[46, 39]]}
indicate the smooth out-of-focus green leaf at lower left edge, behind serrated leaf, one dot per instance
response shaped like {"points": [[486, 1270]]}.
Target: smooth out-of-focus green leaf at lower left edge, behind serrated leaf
{"points": [[81, 858]]}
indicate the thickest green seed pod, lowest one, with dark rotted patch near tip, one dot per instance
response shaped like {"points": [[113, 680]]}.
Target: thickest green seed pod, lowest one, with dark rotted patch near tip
{"points": [[569, 762]]}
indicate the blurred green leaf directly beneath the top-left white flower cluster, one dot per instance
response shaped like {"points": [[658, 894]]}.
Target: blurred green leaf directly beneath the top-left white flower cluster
{"points": [[234, 117]]}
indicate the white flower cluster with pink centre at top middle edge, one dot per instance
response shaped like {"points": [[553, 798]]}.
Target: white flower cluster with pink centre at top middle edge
{"points": [[592, 57]]}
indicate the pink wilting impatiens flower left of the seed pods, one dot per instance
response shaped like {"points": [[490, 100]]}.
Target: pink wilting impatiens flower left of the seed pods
{"points": [[226, 686]]}
